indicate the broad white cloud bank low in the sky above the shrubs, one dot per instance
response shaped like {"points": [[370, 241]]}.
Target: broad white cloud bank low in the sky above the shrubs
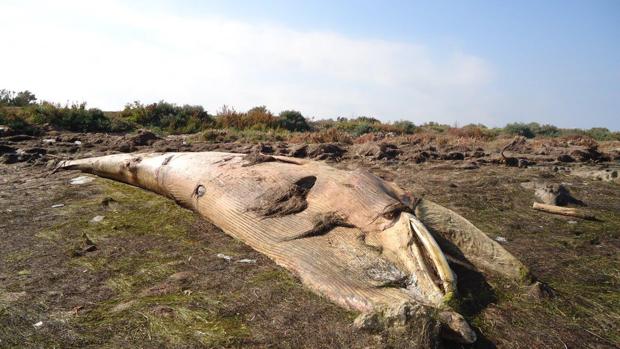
{"points": [[109, 54]]}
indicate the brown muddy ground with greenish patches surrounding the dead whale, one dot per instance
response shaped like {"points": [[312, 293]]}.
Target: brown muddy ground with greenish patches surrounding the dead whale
{"points": [[102, 264]]}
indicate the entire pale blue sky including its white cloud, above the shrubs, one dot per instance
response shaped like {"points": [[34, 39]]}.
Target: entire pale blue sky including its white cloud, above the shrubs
{"points": [[454, 62]]}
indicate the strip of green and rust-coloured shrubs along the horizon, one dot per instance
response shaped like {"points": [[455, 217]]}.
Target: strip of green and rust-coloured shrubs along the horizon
{"points": [[22, 113]]}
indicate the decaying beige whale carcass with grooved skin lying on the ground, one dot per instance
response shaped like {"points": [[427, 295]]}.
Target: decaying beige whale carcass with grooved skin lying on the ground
{"points": [[350, 236]]}
